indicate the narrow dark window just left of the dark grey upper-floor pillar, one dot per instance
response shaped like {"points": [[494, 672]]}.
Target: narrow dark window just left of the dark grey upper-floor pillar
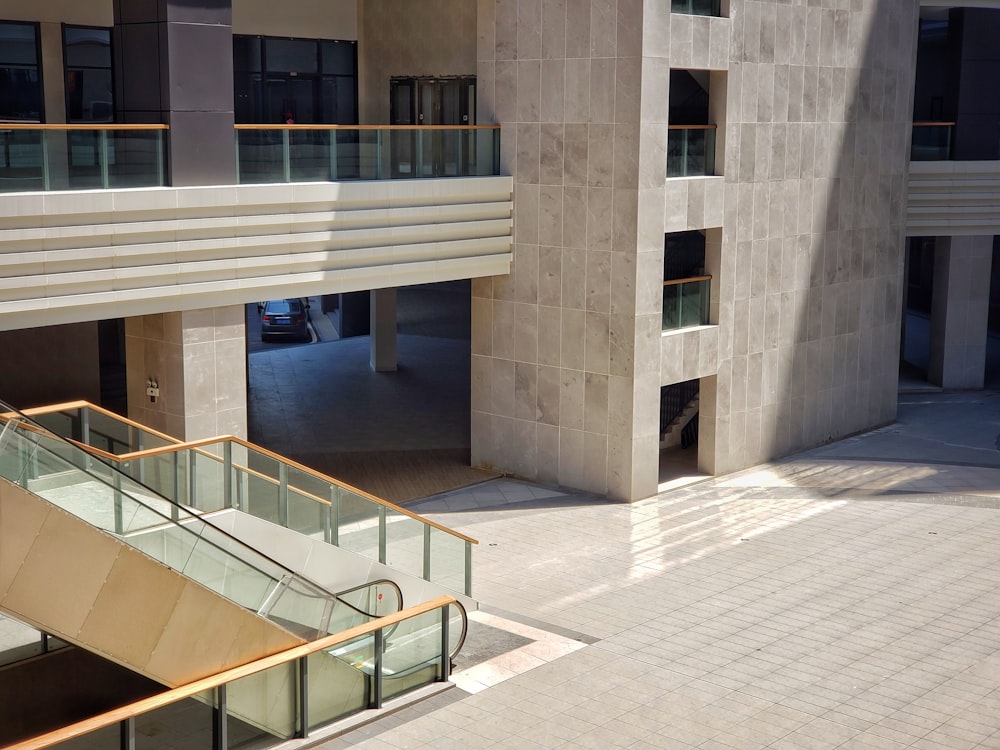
{"points": [[89, 88]]}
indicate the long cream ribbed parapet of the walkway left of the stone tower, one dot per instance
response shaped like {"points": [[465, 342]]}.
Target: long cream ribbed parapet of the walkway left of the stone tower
{"points": [[88, 255]]}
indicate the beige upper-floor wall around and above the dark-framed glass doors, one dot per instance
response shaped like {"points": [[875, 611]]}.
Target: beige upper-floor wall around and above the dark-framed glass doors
{"points": [[437, 38]]}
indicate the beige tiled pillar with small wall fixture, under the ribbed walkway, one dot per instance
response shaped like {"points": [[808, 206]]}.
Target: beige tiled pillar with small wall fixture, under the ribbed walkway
{"points": [[197, 360]]}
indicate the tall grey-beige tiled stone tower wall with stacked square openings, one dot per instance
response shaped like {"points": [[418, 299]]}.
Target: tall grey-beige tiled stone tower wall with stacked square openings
{"points": [[814, 107]]}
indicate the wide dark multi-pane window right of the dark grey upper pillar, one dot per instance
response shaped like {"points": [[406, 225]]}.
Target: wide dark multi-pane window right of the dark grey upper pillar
{"points": [[307, 81]]}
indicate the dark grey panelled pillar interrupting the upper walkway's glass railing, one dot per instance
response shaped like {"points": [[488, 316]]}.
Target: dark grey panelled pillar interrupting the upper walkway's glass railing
{"points": [[174, 65]]}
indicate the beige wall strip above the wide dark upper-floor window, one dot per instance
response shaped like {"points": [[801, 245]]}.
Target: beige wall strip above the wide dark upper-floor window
{"points": [[311, 19]]}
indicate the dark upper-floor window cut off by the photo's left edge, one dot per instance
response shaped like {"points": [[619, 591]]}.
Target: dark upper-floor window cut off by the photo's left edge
{"points": [[20, 80]]}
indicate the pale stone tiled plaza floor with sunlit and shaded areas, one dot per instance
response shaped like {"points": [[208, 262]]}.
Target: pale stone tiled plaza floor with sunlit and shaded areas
{"points": [[848, 597]]}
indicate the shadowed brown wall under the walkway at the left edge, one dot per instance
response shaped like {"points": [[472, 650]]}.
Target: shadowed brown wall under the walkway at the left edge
{"points": [[49, 365]]}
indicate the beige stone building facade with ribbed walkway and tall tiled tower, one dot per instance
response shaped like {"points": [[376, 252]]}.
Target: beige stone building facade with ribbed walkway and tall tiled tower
{"points": [[693, 200]]}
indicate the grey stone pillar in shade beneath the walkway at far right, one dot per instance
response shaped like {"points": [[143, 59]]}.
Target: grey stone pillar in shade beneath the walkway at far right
{"points": [[960, 311]]}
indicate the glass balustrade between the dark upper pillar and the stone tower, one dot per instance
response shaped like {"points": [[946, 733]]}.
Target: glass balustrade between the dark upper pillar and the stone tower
{"points": [[318, 153]]}
